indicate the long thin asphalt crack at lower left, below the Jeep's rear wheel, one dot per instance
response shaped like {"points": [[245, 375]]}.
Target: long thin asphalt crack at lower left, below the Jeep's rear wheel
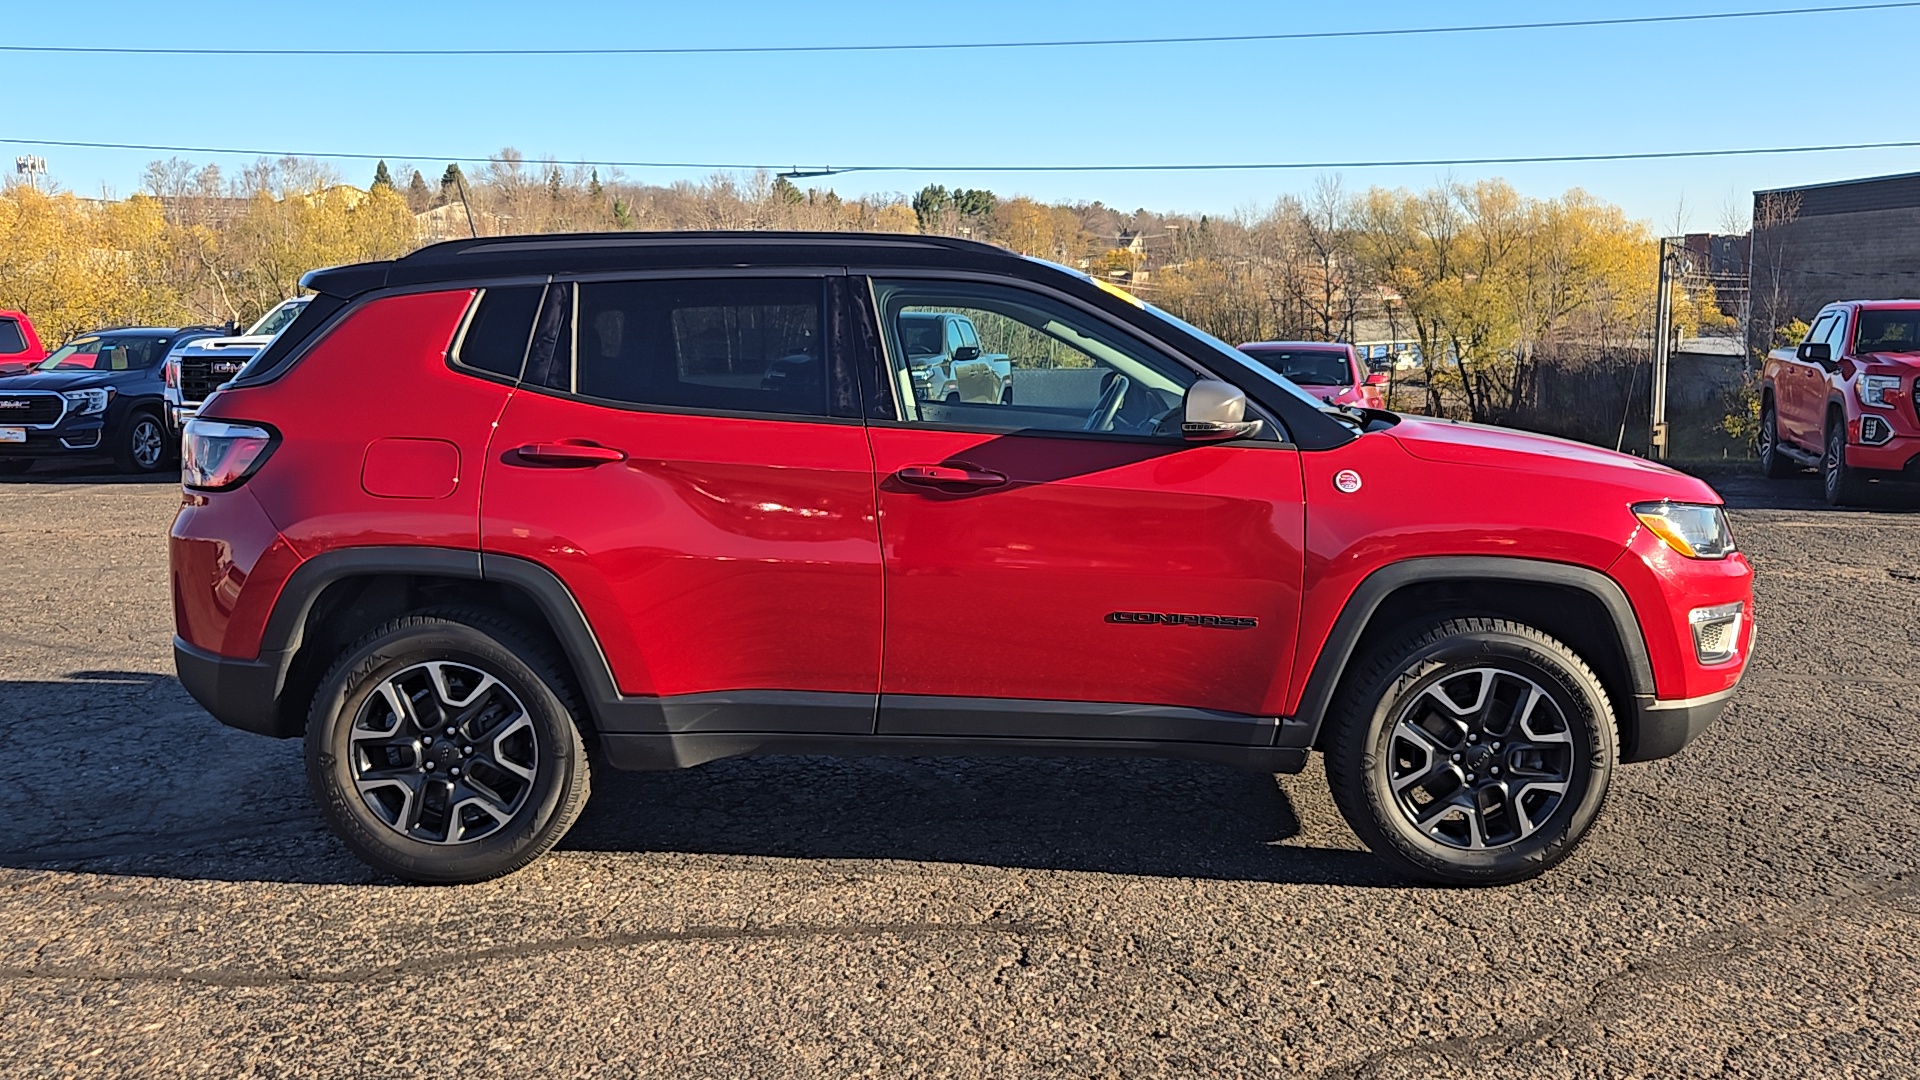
{"points": [[427, 966]]}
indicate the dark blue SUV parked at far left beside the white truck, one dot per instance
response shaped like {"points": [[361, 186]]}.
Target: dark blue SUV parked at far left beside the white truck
{"points": [[95, 397]]}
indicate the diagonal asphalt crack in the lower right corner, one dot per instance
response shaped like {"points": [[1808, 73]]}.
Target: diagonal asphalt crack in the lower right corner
{"points": [[1687, 962]]}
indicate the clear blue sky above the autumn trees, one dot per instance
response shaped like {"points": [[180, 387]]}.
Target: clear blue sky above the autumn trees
{"points": [[1775, 82]]}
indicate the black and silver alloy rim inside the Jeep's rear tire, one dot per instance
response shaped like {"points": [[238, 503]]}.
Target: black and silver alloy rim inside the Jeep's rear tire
{"points": [[444, 754]]}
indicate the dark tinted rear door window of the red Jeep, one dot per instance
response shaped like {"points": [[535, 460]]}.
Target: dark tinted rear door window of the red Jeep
{"points": [[748, 345]]}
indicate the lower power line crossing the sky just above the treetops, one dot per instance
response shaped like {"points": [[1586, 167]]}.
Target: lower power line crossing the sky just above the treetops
{"points": [[976, 168]]}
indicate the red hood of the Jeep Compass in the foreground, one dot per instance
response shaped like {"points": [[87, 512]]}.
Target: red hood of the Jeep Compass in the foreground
{"points": [[1506, 449]]}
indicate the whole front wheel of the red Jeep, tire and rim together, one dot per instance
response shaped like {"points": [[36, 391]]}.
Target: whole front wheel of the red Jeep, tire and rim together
{"points": [[1470, 679]]}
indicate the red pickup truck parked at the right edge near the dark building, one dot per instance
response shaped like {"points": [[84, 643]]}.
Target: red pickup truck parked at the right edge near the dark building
{"points": [[1844, 399]]}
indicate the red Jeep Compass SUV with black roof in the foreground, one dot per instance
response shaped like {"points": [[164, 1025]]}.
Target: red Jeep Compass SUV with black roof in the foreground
{"points": [[677, 499]]}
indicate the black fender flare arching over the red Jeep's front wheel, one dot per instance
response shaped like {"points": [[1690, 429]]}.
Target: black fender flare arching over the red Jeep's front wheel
{"points": [[1337, 654]]}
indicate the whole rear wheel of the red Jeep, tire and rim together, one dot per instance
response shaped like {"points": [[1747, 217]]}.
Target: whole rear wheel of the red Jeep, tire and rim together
{"points": [[389, 789]]}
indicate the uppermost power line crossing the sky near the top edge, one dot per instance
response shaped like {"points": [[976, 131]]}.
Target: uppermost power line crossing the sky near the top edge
{"points": [[976, 45]]}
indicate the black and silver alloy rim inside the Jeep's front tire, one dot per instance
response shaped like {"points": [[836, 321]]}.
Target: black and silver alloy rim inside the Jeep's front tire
{"points": [[1481, 758]]}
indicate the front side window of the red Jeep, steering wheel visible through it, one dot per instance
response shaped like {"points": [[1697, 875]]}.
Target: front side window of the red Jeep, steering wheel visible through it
{"points": [[1042, 366]]}
